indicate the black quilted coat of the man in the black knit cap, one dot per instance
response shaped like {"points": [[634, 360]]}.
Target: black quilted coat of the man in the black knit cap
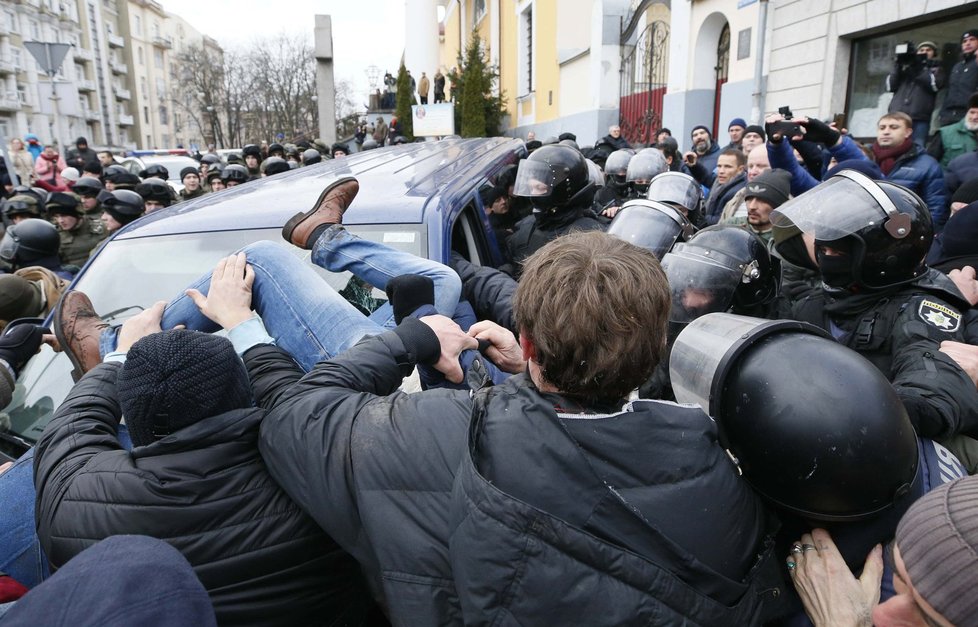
{"points": [[203, 489]]}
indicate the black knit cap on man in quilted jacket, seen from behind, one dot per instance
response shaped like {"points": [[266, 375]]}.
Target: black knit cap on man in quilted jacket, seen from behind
{"points": [[176, 378]]}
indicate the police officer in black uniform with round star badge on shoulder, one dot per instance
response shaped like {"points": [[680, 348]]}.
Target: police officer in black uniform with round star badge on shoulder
{"points": [[878, 297]]}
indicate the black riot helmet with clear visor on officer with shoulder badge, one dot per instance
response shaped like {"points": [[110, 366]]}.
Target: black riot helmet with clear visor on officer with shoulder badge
{"points": [[883, 231]]}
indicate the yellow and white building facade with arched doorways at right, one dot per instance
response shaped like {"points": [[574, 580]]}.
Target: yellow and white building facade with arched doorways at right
{"points": [[581, 65]]}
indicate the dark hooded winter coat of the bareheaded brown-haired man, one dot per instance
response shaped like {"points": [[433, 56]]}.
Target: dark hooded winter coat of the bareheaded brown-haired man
{"points": [[381, 474]]}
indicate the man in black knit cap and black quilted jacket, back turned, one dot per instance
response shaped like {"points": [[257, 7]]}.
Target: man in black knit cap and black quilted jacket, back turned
{"points": [[194, 478]]}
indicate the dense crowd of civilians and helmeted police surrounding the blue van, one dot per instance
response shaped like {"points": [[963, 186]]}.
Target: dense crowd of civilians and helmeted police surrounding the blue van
{"points": [[732, 385]]}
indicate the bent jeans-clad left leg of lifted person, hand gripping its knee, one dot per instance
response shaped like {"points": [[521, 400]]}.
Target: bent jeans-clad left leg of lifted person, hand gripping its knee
{"points": [[302, 312]]}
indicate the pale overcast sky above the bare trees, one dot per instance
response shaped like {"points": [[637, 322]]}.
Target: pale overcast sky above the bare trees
{"points": [[365, 32]]}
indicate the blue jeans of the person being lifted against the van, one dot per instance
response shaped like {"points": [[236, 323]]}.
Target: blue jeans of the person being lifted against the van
{"points": [[307, 317]]}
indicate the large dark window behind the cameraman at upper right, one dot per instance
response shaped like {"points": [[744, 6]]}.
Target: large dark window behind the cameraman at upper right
{"points": [[873, 58]]}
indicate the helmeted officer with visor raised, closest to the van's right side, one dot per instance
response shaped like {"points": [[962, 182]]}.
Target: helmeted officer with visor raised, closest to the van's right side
{"points": [[555, 179]]}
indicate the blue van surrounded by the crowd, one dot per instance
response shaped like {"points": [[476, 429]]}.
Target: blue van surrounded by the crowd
{"points": [[421, 198]]}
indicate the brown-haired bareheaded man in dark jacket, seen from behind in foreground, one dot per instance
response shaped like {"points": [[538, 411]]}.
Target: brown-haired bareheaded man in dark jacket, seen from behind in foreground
{"points": [[441, 495]]}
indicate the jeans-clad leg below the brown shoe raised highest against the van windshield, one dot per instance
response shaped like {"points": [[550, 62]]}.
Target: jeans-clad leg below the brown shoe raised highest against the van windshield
{"points": [[338, 250]]}
